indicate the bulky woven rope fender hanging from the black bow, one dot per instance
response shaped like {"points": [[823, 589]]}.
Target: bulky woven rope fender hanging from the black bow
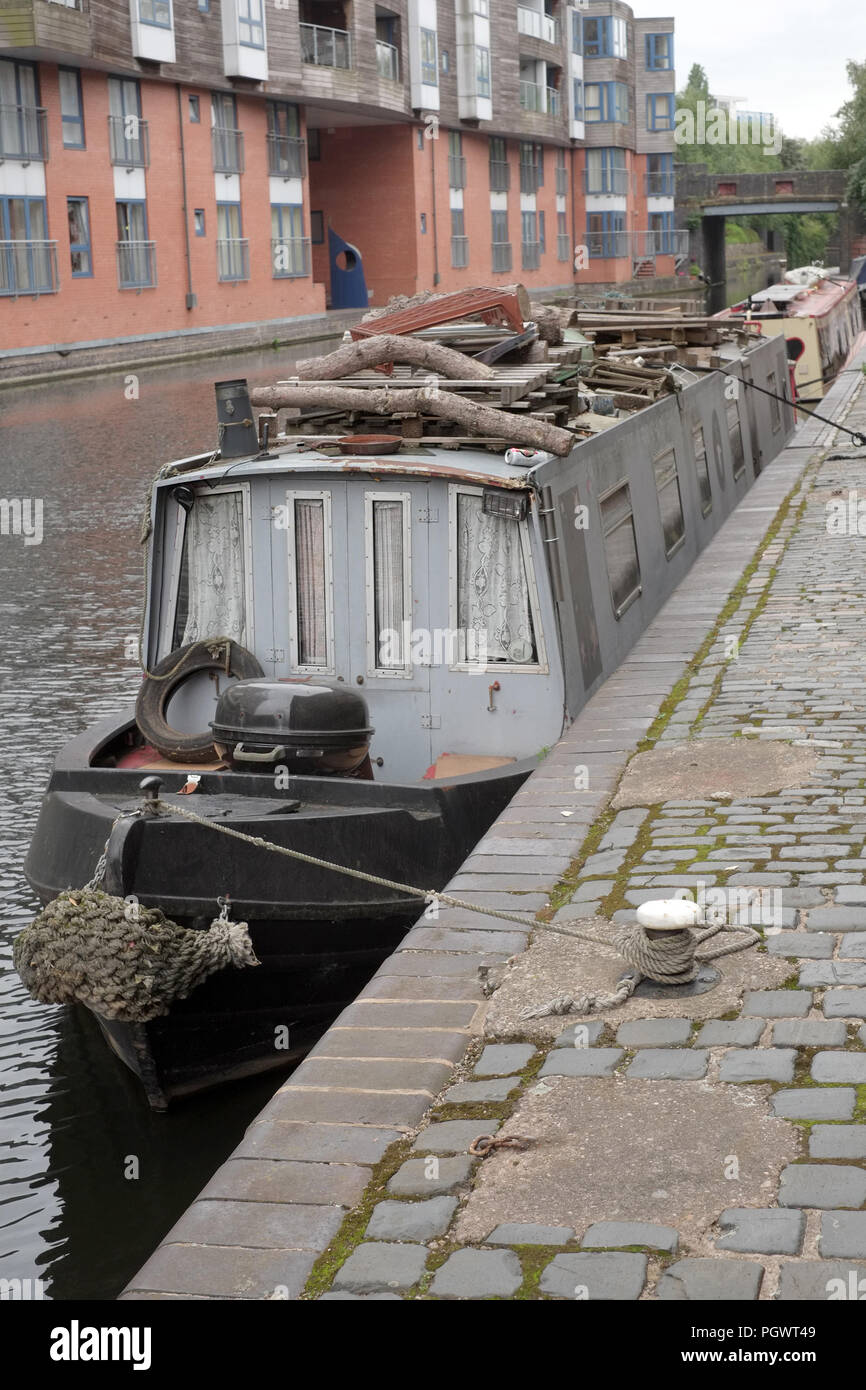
{"points": [[120, 960]]}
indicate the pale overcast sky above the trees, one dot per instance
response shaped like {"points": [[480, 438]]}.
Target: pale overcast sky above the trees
{"points": [[783, 56]]}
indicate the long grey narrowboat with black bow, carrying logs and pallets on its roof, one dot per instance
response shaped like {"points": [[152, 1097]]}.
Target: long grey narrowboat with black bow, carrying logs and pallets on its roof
{"points": [[361, 658]]}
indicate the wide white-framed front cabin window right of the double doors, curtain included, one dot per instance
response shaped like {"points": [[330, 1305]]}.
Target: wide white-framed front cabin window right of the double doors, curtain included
{"points": [[494, 608]]}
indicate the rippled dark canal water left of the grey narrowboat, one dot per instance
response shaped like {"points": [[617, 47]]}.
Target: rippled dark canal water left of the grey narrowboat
{"points": [[72, 1118]]}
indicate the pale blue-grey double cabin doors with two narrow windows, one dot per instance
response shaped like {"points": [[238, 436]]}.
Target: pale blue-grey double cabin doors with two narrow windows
{"points": [[351, 603]]}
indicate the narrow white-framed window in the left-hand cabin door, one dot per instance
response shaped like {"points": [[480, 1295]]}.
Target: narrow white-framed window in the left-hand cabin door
{"points": [[311, 582]]}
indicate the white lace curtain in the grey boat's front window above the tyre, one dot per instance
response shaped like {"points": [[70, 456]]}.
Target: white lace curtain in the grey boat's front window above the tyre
{"points": [[215, 558]]}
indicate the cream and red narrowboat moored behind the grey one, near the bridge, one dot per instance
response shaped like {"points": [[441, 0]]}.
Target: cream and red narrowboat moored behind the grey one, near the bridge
{"points": [[818, 315]]}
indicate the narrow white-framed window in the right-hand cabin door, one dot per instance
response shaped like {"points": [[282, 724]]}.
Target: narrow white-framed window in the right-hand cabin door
{"points": [[389, 555]]}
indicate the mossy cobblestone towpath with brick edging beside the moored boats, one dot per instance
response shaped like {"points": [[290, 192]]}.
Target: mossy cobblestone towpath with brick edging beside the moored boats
{"points": [[701, 1146]]}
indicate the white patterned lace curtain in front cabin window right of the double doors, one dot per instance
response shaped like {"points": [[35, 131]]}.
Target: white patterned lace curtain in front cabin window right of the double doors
{"points": [[493, 594]]}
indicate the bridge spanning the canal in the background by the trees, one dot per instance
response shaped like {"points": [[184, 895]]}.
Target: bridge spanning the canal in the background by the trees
{"points": [[717, 197]]}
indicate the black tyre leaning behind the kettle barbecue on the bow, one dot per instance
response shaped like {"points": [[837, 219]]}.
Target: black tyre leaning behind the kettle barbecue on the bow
{"points": [[161, 685]]}
